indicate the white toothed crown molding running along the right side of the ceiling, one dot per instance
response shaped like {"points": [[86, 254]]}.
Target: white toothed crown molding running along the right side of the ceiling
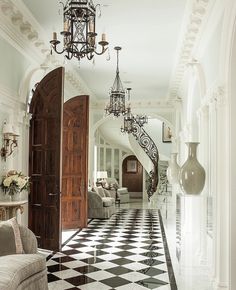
{"points": [[192, 29]]}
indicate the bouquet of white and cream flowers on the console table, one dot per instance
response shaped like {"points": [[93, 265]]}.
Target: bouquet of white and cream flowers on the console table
{"points": [[14, 182]]}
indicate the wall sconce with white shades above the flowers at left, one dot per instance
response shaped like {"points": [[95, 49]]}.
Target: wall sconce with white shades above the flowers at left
{"points": [[9, 140]]}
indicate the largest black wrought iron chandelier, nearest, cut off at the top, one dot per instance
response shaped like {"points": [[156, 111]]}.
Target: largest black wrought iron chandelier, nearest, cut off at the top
{"points": [[79, 36]]}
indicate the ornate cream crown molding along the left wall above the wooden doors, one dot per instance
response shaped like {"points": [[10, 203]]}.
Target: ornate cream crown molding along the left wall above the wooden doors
{"points": [[19, 28]]}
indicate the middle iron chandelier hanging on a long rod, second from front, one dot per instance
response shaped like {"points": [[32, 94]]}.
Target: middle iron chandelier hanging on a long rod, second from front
{"points": [[116, 105]]}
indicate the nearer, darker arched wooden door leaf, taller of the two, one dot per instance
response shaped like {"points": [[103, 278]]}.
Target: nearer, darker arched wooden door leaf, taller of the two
{"points": [[45, 160]]}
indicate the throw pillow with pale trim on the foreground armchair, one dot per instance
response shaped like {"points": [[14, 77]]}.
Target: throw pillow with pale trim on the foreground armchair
{"points": [[10, 239]]}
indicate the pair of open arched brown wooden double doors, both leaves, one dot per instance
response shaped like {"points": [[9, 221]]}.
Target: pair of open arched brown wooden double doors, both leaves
{"points": [[58, 173]]}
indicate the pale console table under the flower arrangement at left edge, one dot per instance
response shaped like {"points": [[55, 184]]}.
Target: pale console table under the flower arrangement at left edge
{"points": [[8, 209]]}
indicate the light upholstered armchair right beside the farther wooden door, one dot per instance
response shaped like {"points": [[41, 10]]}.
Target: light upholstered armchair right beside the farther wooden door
{"points": [[100, 204]]}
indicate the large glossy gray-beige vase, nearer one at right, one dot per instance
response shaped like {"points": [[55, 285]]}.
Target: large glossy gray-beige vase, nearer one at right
{"points": [[192, 174]]}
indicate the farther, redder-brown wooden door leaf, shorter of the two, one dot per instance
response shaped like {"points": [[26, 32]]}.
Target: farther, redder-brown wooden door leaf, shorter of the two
{"points": [[75, 163]]}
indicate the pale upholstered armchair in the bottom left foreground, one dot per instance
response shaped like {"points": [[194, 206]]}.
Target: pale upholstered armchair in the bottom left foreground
{"points": [[26, 270]]}
